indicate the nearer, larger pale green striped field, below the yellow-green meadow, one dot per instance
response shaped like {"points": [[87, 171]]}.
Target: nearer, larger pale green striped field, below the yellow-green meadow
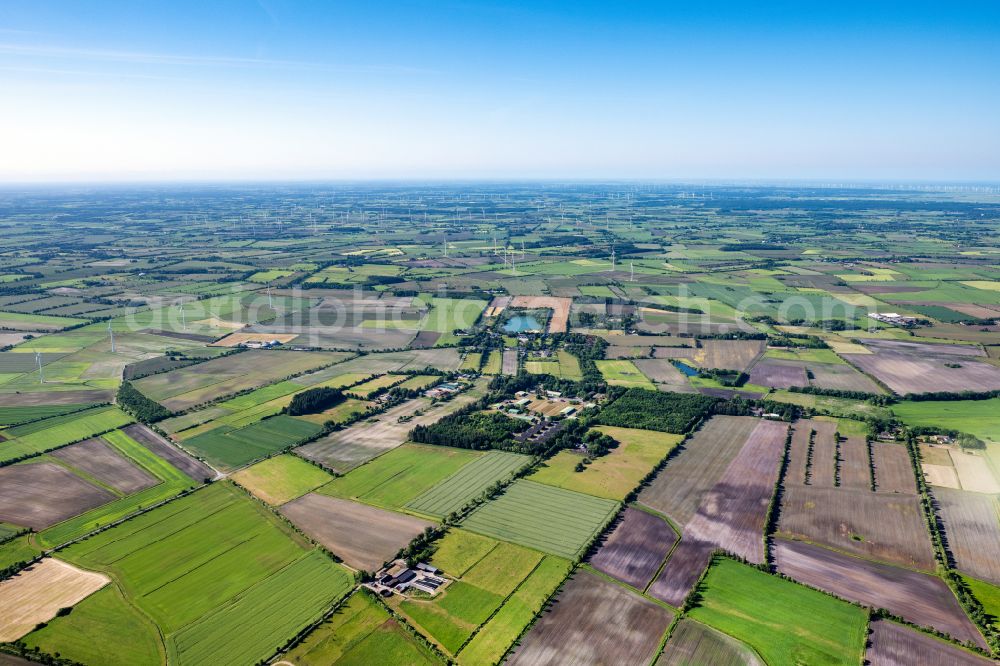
{"points": [[552, 520]]}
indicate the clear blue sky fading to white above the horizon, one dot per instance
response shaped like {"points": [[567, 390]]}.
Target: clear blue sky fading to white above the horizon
{"points": [[651, 90]]}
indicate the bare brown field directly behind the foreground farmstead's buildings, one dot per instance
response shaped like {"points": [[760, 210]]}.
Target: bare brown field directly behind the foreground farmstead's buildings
{"points": [[363, 536]]}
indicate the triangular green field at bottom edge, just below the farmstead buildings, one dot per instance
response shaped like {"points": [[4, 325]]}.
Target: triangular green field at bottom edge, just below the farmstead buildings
{"points": [[361, 632]]}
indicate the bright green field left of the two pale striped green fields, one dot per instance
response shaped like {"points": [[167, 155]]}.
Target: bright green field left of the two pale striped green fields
{"points": [[394, 479]]}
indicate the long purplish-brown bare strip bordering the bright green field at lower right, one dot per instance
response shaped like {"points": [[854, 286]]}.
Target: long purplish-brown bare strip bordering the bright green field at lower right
{"points": [[919, 598]]}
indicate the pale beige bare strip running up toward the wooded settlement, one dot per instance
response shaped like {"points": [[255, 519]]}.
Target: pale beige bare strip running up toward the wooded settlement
{"points": [[343, 450]]}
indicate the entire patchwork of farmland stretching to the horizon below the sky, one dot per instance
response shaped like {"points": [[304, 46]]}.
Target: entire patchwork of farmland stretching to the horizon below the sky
{"points": [[228, 503]]}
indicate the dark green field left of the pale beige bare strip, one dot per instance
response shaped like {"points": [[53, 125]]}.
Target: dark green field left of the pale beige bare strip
{"points": [[228, 448]]}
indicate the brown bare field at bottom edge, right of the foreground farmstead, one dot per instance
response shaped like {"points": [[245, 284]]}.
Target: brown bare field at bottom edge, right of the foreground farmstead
{"points": [[594, 621]]}
